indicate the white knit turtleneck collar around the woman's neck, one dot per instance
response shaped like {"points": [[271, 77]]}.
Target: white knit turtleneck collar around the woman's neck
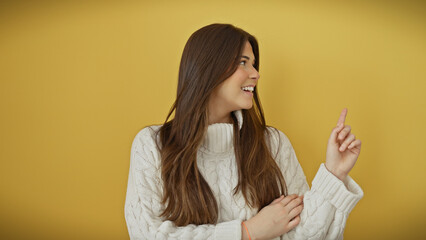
{"points": [[219, 136]]}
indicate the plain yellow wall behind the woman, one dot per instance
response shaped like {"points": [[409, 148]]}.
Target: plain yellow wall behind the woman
{"points": [[78, 81]]}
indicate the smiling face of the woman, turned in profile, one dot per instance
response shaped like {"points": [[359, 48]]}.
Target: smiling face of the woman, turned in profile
{"points": [[236, 92]]}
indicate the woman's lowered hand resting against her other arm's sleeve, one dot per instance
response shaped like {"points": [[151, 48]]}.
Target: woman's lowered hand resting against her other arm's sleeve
{"points": [[279, 217]]}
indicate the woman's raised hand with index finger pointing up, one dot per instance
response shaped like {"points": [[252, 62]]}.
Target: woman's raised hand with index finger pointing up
{"points": [[342, 149]]}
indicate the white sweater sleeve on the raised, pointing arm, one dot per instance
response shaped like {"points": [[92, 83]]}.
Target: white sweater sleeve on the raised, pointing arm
{"points": [[326, 205]]}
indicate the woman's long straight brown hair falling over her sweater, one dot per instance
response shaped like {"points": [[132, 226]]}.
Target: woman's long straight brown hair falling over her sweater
{"points": [[210, 56]]}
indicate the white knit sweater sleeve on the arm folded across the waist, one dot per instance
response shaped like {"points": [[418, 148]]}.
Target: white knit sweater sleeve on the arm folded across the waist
{"points": [[143, 200]]}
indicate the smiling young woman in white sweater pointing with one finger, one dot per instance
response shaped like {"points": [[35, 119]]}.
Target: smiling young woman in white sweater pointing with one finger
{"points": [[216, 171]]}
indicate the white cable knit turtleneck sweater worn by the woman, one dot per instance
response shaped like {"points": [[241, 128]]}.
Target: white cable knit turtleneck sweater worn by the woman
{"points": [[326, 205]]}
